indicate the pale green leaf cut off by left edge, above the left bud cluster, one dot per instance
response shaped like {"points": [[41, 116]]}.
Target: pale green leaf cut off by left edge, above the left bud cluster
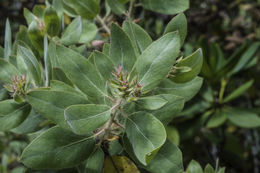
{"points": [[7, 71]]}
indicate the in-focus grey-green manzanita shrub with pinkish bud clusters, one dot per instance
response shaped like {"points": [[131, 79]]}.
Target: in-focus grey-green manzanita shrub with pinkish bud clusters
{"points": [[104, 112]]}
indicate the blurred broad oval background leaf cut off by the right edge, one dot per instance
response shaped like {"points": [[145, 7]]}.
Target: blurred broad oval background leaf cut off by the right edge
{"points": [[242, 118]]}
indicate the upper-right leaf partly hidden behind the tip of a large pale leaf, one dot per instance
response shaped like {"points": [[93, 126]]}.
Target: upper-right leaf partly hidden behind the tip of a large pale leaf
{"points": [[178, 23]]}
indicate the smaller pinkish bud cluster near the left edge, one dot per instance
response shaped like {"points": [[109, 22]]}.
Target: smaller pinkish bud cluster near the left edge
{"points": [[18, 86]]}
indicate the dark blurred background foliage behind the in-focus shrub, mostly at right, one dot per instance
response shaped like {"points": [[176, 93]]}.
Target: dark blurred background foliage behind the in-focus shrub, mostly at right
{"points": [[228, 32]]}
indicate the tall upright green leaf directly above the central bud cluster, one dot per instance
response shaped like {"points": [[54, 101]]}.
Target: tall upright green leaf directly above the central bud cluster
{"points": [[121, 50]]}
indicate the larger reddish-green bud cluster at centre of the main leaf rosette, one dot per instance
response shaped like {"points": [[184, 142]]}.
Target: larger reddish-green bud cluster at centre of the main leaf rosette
{"points": [[124, 86]]}
